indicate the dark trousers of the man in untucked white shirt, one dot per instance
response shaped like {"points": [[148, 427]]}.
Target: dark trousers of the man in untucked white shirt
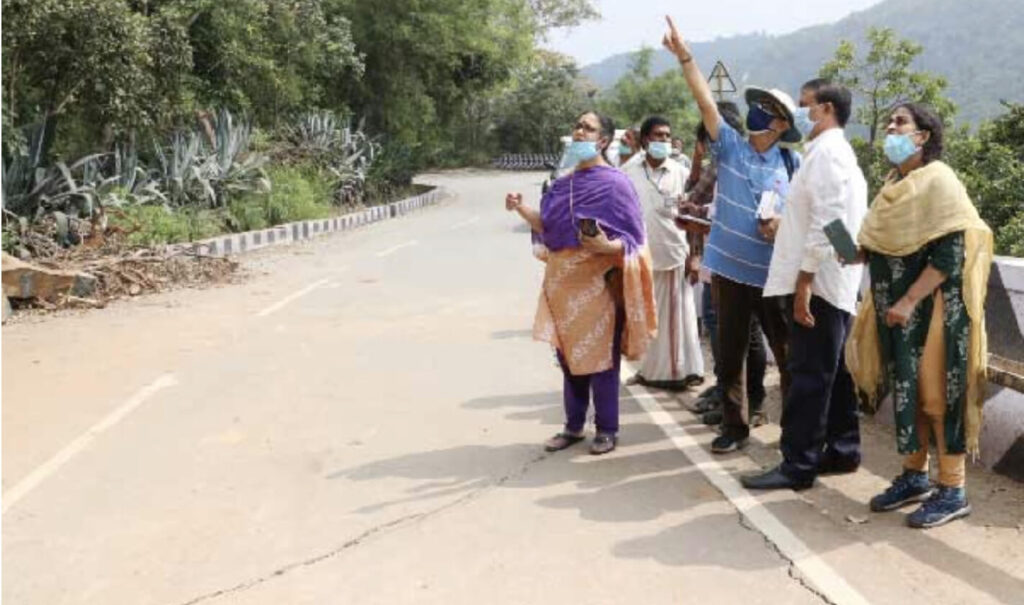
{"points": [[821, 411]]}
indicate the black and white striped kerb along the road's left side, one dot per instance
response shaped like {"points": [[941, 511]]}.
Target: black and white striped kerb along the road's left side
{"points": [[234, 244]]}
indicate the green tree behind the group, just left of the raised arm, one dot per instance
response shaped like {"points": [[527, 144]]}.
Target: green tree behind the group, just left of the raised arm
{"points": [[637, 96]]}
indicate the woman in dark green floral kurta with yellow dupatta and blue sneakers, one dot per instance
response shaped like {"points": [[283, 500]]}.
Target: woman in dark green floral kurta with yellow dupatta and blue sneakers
{"points": [[921, 330]]}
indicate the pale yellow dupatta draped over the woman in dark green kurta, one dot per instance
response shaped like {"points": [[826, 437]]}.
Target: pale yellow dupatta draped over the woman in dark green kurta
{"points": [[927, 204]]}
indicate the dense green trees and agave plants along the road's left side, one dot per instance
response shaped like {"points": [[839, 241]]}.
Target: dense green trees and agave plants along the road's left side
{"points": [[202, 108]]}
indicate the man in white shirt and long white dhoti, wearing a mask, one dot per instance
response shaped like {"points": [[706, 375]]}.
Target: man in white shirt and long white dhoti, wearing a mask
{"points": [[674, 360]]}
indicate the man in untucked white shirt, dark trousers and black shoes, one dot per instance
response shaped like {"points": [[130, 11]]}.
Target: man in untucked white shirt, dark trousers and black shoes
{"points": [[821, 431]]}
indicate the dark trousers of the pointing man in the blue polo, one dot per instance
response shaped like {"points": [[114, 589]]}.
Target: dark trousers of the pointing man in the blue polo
{"points": [[737, 306]]}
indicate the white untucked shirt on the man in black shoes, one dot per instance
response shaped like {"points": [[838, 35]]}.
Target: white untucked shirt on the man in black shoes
{"points": [[829, 186]]}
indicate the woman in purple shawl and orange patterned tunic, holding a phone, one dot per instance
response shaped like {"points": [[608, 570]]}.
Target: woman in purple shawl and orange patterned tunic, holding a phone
{"points": [[598, 300]]}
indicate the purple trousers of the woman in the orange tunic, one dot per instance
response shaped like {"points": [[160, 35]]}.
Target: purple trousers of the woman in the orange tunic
{"points": [[606, 385]]}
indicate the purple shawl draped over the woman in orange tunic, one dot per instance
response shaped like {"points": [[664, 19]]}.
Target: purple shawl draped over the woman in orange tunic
{"points": [[602, 193]]}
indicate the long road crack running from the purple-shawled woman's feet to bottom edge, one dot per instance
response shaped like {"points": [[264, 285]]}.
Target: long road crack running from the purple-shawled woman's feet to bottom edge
{"points": [[407, 521]]}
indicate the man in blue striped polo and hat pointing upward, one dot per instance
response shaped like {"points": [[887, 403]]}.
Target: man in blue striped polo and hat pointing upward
{"points": [[752, 171]]}
